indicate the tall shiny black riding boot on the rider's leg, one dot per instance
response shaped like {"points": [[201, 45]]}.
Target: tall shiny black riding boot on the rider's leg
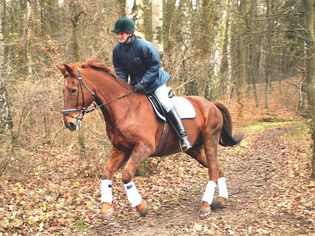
{"points": [[177, 124]]}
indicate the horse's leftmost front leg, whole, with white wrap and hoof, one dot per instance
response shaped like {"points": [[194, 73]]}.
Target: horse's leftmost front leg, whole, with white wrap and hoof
{"points": [[114, 162]]}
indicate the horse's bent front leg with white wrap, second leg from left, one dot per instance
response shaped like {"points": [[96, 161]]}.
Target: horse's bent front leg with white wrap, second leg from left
{"points": [[138, 155]]}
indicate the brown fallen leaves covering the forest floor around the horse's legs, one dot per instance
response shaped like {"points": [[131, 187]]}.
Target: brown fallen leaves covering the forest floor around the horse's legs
{"points": [[268, 181]]}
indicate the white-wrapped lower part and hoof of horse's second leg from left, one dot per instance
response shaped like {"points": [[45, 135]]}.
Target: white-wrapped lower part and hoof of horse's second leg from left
{"points": [[135, 199]]}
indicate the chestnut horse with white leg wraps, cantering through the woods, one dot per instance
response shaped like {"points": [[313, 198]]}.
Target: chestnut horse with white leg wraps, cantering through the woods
{"points": [[137, 134]]}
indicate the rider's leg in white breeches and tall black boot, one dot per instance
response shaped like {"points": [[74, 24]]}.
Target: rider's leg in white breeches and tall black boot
{"points": [[172, 115]]}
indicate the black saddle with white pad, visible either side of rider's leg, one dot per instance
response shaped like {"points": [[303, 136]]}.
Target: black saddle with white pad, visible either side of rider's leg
{"points": [[183, 106]]}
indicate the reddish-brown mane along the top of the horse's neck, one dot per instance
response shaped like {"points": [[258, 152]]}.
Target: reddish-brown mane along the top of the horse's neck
{"points": [[93, 64]]}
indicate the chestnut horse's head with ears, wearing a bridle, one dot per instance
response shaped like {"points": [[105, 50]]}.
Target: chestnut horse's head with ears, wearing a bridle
{"points": [[78, 94]]}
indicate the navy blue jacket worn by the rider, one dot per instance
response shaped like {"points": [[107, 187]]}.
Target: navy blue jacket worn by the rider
{"points": [[140, 60]]}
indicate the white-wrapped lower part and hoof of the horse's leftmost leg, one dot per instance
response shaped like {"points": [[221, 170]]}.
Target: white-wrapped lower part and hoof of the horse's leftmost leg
{"points": [[106, 198]]}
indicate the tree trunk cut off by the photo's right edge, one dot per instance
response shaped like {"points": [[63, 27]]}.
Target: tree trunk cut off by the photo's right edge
{"points": [[309, 6]]}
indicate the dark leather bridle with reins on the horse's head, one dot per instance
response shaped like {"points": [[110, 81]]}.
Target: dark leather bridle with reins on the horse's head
{"points": [[86, 109]]}
